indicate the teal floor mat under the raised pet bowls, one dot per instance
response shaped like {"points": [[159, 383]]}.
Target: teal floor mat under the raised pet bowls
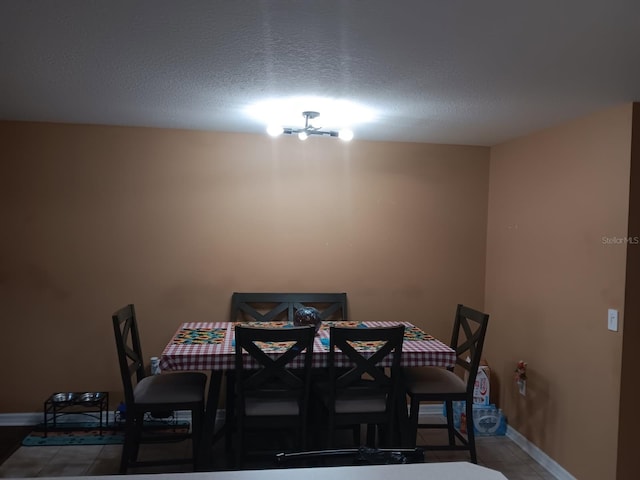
{"points": [[89, 433]]}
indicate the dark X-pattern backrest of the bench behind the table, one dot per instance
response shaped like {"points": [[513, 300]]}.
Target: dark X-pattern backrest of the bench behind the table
{"points": [[267, 307]]}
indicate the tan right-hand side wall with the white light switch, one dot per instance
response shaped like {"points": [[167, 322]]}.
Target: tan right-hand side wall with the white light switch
{"points": [[553, 197]]}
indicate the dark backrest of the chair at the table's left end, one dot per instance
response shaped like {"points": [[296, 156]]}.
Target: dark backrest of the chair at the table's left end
{"points": [[125, 328]]}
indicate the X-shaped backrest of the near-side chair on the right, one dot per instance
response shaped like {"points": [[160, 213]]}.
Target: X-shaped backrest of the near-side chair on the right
{"points": [[366, 350]]}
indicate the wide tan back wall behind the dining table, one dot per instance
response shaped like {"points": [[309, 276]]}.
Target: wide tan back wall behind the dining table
{"points": [[175, 221]]}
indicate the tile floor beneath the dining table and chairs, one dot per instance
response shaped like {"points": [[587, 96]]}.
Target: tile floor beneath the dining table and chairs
{"points": [[498, 453]]}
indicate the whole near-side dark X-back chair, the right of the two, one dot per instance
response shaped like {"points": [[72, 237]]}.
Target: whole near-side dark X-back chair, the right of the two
{"points": [[360, 391]]}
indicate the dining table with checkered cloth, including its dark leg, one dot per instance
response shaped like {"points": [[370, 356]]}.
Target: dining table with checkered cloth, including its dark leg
{"points": [[210, 346]]}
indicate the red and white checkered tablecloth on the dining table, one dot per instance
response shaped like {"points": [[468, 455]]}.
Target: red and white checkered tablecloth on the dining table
{"points": [[211, 346]]}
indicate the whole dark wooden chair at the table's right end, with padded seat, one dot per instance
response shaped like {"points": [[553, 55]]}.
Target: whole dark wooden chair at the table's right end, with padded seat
{"points": [[429, 384]]}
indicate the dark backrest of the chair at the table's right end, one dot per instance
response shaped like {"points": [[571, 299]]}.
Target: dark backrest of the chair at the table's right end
{"points": [[469, 330]]}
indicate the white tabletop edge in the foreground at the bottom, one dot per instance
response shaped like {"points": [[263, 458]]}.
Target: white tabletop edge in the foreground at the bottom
{"points": [[414, 471]]}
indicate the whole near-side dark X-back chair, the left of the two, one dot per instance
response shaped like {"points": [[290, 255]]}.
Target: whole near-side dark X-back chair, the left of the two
{"points": [[271, 392]]}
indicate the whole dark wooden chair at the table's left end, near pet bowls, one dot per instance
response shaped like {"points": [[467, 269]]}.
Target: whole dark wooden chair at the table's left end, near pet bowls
{"points": [[145, 394]]}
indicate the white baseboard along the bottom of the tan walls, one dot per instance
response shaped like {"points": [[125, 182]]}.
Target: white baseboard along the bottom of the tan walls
{"points": [[25, 419]]}
